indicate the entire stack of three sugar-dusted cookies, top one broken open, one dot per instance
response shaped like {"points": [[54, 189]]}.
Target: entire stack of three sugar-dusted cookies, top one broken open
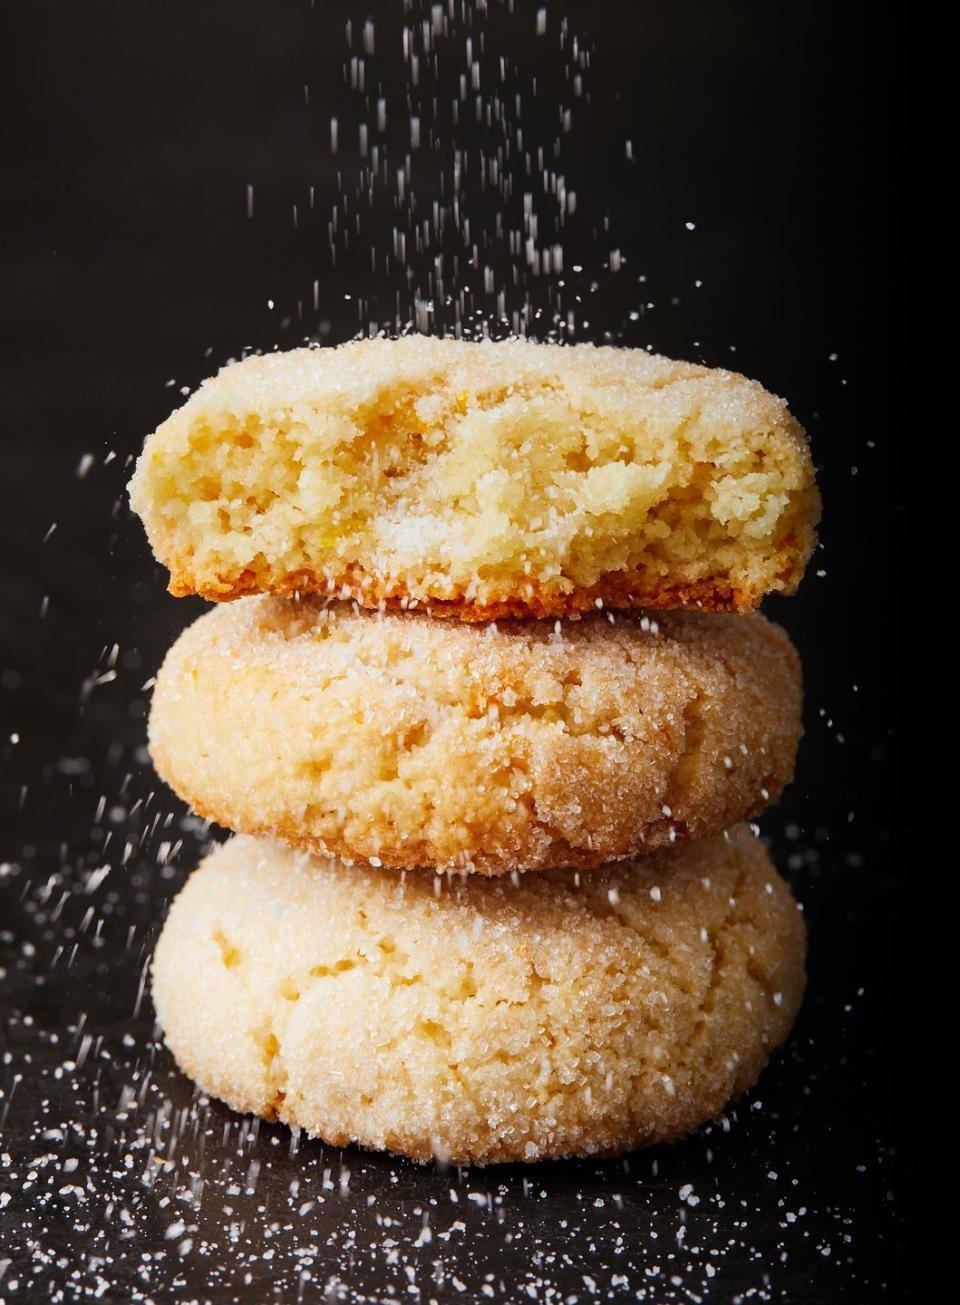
{"points": [[488, 708]]}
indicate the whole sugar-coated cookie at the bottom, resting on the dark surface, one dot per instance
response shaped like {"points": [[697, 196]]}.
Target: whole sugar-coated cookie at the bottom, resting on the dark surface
{"points": [[482, 1020]]}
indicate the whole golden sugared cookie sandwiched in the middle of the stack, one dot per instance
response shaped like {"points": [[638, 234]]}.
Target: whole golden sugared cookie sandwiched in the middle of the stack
{"points": [[404, 742]]}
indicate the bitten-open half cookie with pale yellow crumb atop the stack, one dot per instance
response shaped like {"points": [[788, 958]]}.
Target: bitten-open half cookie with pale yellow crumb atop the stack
{"points": [[482, 481]]}
